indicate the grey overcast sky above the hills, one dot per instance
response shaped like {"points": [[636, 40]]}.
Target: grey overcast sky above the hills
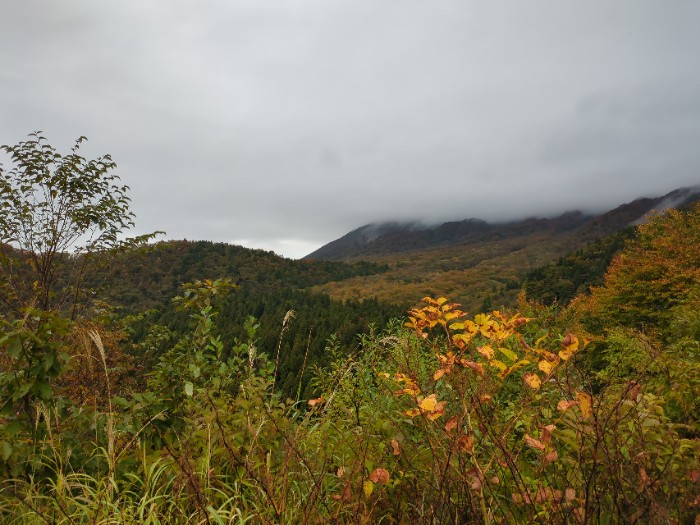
{"points": [[284, 124]]}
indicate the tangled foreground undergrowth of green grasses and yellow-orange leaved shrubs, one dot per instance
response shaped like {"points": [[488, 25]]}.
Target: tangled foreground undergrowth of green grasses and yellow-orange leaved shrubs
{"points": [[449, 419]]}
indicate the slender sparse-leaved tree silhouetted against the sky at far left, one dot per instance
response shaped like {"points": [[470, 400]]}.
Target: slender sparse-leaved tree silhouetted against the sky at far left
{"points": [[56, 213]]}
